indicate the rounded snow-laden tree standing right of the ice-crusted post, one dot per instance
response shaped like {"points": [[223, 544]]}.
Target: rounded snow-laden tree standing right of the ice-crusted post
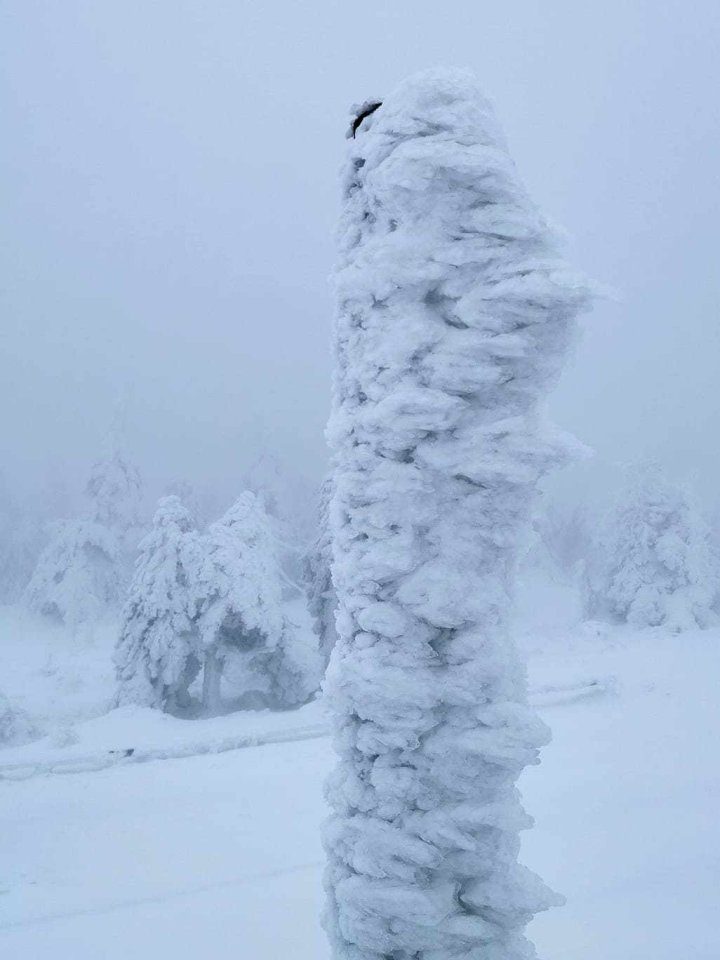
{"points": [[655, 564]]}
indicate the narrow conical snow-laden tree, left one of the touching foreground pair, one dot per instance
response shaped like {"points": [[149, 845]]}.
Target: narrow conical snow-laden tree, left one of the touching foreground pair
{"points": [[158, 652]]}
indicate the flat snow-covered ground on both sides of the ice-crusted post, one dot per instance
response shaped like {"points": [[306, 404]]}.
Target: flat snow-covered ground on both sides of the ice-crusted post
{"points": [[218, 854]]}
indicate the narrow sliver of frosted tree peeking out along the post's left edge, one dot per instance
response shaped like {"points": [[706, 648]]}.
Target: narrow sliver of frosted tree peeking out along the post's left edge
{"points": [[322, 599]]}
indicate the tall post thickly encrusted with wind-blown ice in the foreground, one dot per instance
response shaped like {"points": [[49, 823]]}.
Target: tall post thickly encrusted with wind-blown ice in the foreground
{"points": [[455, 313]]}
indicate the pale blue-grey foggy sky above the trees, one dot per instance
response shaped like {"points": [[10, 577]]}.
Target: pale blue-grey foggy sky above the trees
{"points": [[169, 189]]}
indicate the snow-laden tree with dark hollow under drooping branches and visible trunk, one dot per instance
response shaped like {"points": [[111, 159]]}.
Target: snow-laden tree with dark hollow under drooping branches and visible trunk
{"points": [[244, 627]]}
